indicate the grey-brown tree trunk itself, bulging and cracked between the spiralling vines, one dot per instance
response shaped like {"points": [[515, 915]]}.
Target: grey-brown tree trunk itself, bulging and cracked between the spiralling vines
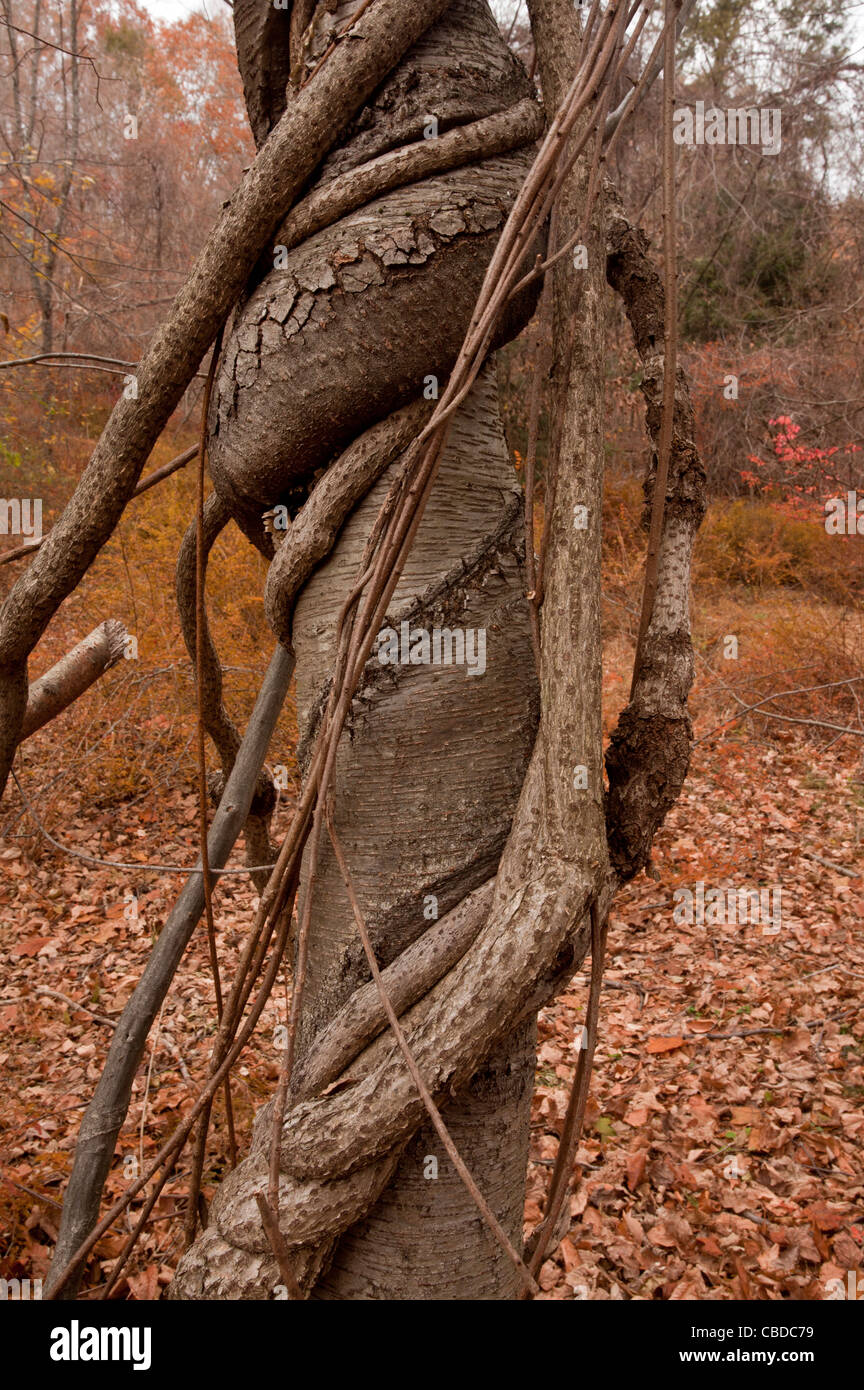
{"points": [[430, 771]]}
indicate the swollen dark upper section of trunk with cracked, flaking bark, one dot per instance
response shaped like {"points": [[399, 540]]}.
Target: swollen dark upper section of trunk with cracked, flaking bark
{"points": [[347, 327]]}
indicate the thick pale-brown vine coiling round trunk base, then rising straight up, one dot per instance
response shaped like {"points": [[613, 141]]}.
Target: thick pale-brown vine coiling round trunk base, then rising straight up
{"points": [[338, 1150]]}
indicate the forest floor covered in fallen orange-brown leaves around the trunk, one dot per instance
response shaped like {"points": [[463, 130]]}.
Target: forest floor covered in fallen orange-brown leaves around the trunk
{"points": [[723, 1154]]}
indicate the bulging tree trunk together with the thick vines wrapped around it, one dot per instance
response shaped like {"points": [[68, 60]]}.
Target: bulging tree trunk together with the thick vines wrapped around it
{"points": [[454, 801]]}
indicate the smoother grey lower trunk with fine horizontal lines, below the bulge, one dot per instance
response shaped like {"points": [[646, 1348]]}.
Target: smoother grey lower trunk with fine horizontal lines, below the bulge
{"points": [[427, 786]]}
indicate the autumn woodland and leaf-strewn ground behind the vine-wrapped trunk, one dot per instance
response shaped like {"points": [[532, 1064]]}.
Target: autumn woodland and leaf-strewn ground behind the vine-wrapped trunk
{"points": [[723, 1150]]}
